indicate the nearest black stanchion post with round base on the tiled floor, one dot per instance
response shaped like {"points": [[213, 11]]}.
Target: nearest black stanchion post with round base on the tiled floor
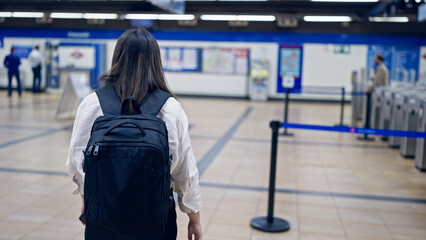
{"points": [[271, 223]]}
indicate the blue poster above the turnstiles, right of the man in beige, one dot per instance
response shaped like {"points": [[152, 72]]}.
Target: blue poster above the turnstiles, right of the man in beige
{"points": [[406, 64]]}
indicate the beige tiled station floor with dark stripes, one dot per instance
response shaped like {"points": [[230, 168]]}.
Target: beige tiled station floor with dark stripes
{"points": [[38, 205]]}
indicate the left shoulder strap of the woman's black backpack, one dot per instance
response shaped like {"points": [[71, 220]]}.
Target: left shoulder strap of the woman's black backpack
{"points": [[108, 98]]}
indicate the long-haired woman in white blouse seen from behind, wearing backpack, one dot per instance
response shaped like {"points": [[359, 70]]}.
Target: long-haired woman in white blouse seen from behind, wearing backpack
{"points": [[136, 75]]}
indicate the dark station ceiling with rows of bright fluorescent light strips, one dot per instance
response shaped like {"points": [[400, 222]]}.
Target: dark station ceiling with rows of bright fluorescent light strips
{"points": [[289, 15]]}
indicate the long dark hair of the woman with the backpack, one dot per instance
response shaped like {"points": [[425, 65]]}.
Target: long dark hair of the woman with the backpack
{"points": [[136, 67]]}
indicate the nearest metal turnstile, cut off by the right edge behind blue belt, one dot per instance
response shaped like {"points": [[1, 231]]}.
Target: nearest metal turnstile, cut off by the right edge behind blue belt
{"points": [[420, 142]]}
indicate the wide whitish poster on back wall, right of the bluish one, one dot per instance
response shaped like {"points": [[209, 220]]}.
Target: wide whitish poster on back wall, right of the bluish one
{"points": [[226, 60]]}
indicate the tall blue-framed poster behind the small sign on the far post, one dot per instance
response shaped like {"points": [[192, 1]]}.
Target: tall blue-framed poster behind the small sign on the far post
{"points": [[290, 66]]}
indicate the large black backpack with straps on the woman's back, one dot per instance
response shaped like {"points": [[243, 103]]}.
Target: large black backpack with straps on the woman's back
{"points": [[127, 166]]}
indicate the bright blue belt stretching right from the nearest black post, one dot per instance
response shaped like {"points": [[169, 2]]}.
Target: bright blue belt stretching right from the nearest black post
{"points": [[370, 131]]}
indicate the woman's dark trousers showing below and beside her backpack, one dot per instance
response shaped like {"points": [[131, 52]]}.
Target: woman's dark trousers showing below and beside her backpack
{"points": [[94, 233]]}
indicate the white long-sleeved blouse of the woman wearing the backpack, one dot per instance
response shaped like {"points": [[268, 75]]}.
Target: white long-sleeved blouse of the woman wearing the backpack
{"points": [[183, 171]]}
